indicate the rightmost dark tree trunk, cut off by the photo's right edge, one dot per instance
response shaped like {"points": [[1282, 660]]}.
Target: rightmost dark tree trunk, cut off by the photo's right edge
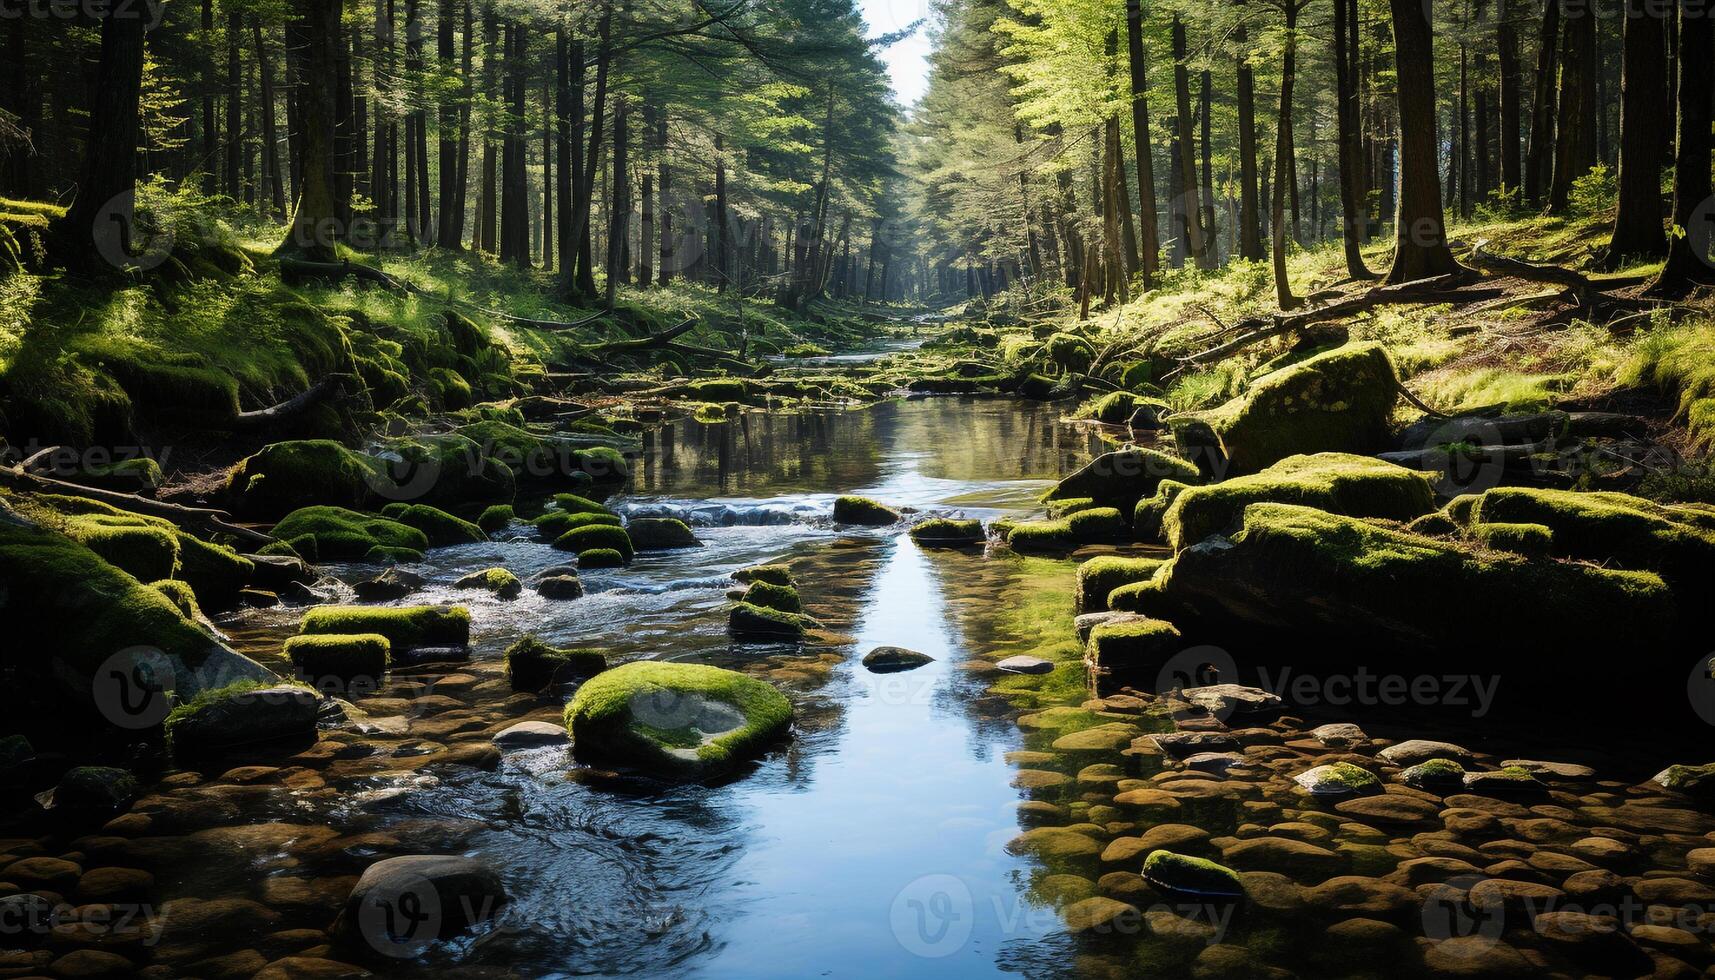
{"points": [[1688, 255]]}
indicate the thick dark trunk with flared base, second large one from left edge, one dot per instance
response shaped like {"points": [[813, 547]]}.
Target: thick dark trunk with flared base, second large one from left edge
{"points": [[315, 224]]}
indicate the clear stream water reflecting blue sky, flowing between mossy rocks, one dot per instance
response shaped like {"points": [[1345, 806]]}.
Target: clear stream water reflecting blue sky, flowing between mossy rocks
{"points": [[876, 842]]}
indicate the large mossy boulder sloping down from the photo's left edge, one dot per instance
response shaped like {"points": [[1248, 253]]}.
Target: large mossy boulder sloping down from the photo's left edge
{"points": [[100, 612]]}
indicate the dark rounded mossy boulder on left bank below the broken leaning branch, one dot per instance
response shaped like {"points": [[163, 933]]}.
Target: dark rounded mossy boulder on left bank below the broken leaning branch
{"points": [[291, 476]]}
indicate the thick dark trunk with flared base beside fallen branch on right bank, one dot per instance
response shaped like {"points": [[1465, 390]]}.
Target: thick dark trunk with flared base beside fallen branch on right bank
{"points": [[1421, 238]]}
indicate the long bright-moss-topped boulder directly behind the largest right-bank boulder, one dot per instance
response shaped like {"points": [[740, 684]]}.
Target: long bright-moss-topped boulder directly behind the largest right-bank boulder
{"points": [[1339, 483]]}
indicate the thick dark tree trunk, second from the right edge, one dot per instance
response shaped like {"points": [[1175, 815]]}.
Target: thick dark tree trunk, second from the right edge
{"points": [[1644, 90]]}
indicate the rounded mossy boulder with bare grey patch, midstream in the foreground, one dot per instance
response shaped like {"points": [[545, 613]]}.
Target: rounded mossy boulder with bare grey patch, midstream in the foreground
{"points": [[673, 718]]}
